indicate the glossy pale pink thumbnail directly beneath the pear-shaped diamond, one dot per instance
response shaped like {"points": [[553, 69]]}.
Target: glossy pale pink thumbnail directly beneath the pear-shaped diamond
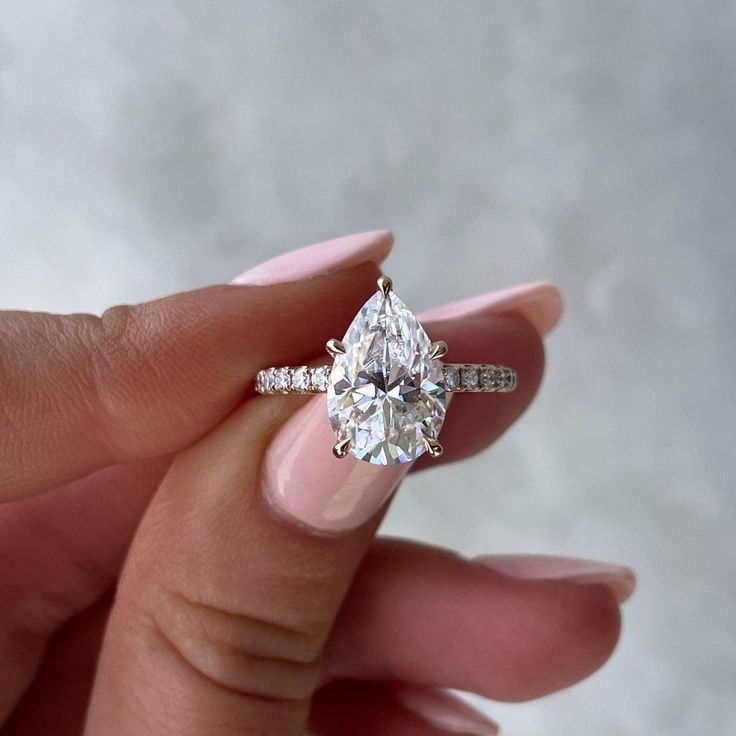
{"points": [[304, 482]]}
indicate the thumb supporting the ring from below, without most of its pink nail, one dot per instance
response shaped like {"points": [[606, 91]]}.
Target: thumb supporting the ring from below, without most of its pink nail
{"points": [[224, 608]]}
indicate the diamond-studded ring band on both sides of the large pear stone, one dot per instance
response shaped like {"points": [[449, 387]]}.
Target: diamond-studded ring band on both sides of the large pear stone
{"points": [[458, 378]]}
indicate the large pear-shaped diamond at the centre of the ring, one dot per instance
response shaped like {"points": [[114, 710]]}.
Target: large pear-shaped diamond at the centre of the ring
{"points": [[385, 394]]}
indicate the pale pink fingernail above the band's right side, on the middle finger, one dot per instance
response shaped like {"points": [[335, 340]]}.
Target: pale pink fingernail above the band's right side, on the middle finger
{"points": [[540, 302]]}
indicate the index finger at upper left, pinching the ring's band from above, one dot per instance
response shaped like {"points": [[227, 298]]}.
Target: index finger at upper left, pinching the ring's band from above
{"points": [[81, 392]]}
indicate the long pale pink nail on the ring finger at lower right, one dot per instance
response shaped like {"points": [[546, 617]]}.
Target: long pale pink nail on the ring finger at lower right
{"points": [[620, 579]]}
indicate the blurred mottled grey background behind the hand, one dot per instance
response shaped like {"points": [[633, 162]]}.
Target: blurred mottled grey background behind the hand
{"points": [[152, 146]]}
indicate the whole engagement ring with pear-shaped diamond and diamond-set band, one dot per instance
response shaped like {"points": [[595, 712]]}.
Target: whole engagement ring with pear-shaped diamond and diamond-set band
{"points": [[386, 389]]}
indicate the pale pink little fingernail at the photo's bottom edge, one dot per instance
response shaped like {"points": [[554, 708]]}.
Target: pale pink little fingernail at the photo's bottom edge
{"points": [[444, 711]]}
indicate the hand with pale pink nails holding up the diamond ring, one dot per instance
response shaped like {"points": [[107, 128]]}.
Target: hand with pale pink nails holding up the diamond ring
{"points": [[181, 556]]}
